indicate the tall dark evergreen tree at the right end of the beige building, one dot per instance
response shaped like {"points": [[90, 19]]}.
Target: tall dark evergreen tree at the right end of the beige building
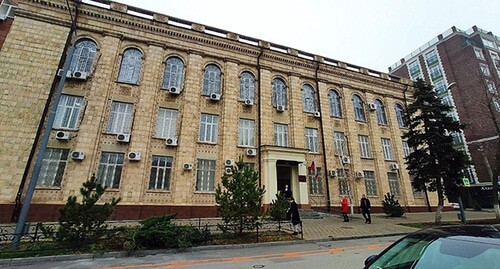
{"points": [[434, 161]]}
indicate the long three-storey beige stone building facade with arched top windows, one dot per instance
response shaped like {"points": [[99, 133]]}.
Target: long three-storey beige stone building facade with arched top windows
{"points": [[158, 107]]}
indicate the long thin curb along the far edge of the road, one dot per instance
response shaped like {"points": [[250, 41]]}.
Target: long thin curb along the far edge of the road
{"points": [[142, 253]]}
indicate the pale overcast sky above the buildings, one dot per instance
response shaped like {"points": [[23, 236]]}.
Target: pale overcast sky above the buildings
{"points": [[369, 33]]}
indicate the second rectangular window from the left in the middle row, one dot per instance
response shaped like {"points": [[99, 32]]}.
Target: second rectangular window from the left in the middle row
{"points": [[120, 118]]}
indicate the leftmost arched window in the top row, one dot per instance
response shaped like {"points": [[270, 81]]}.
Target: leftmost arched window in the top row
{"points": [[83, 56]]}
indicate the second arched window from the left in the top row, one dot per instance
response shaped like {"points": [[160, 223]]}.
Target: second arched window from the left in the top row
{"points": [[130, 68]]}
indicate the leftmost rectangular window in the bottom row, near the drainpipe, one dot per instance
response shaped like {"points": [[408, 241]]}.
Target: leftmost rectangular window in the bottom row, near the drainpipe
{"points": [[53, 165]]}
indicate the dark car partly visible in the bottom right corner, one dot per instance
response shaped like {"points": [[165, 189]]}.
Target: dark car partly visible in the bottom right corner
{"points": [[445, 247]]}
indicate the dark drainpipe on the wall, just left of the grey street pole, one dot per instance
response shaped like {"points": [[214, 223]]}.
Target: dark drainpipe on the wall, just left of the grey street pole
{"points": [[17, 206]]}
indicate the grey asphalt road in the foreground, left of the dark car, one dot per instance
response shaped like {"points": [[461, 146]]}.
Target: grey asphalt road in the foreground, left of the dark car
{"points": [[332, 254]]}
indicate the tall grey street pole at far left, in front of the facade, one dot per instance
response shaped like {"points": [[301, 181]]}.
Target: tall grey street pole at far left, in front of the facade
{"points": [[21, 222]]}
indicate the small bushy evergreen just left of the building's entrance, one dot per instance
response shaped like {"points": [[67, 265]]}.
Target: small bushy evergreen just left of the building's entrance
{"points": [[239, 200]]}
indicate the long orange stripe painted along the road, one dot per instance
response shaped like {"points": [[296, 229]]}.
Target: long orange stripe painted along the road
{"points": [[278, 256]]}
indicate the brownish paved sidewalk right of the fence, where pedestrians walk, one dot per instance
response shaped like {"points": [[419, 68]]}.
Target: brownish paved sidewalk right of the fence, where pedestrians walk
{"points": [[332, 226]]}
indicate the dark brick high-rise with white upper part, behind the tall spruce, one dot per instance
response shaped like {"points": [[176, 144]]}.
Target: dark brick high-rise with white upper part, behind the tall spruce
{"points": [[464, 67]]}
